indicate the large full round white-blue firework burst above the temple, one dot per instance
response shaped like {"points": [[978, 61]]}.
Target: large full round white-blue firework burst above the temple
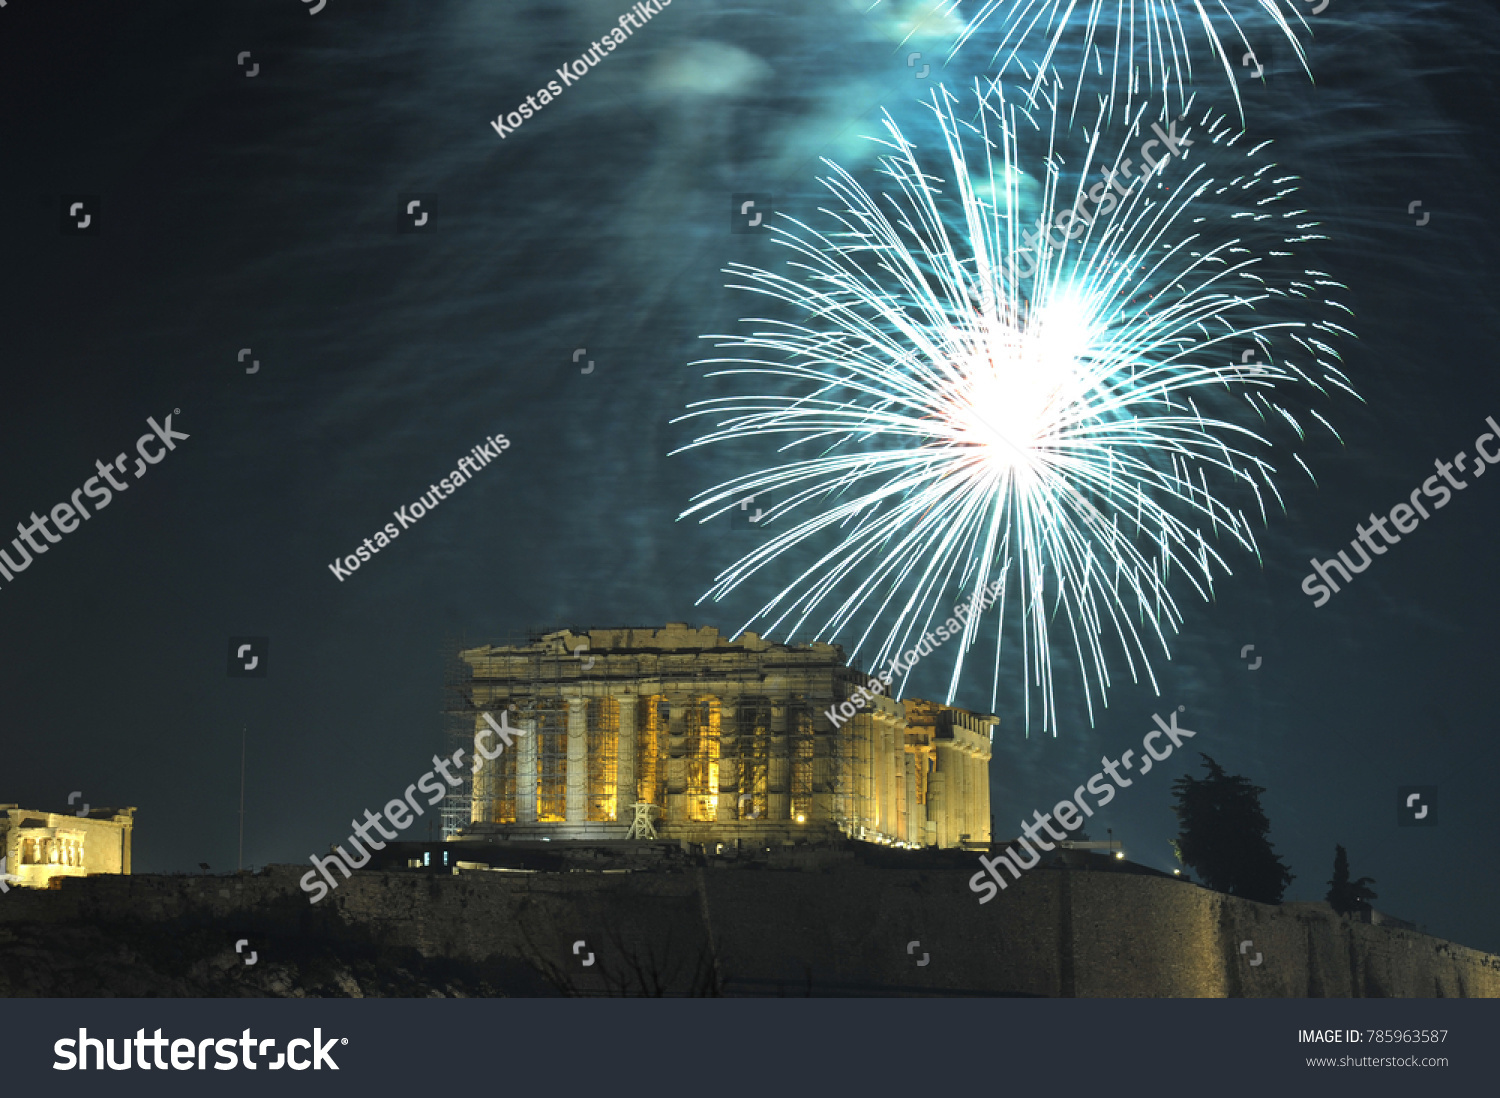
{"points": [[962, 422]]}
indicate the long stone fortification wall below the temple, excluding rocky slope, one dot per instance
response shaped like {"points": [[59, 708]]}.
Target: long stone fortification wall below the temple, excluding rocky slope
{"points": [[829, 925]]}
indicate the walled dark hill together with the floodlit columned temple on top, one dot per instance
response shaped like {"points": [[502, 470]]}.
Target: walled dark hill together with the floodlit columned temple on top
{"points": [[769, 851]]}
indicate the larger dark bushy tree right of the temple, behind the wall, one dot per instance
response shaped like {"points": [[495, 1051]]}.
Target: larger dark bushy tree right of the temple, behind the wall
{"points": [[1225, 836]]}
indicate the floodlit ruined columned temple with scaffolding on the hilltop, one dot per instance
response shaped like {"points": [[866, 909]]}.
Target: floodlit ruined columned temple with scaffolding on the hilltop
{"points": [[725, 740]]}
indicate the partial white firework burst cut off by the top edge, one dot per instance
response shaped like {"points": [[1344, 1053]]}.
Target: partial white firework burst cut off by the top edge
{"points": [[1165, 31]]}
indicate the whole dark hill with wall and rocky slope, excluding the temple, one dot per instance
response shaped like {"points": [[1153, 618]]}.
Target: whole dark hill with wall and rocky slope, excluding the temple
{"points": [[838, 920]]}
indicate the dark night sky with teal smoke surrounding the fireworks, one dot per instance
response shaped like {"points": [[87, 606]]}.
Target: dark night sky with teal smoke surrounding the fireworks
{"points": [[263, 212]]}
